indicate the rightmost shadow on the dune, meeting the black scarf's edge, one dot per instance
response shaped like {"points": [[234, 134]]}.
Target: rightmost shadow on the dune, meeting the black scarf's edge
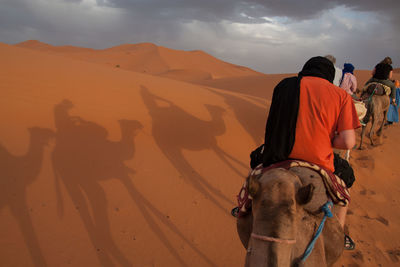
{"points": [[252, 117]]}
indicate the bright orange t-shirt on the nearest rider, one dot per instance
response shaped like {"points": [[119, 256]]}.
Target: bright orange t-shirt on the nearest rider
{"points": [[323, 110]]}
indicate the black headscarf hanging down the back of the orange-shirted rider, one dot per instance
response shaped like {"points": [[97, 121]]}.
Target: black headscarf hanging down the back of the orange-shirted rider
{"points": [[280, 130]]}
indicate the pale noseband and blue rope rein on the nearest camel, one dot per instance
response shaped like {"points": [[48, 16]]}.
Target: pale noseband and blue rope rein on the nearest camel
{"points": [[326, 208]]}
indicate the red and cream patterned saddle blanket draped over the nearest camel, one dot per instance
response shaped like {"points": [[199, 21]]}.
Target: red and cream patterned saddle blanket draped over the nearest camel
{"points": [[335, 187]]}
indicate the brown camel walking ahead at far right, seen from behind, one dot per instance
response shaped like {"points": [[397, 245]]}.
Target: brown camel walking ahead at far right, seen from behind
{"points": [[377, 108]]}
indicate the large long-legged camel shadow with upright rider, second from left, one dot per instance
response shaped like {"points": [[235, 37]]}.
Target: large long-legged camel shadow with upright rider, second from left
{"points": [[81, 159]]}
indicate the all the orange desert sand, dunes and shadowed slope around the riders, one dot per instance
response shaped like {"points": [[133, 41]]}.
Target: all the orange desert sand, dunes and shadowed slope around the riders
{"points": [[134, 155]]}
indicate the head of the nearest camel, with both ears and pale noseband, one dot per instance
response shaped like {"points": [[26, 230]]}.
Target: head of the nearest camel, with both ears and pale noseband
{"points": [[278, 199]]}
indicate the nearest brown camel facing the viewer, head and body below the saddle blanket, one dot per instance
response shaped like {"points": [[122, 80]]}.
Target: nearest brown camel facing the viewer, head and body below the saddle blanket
{"points": [[285, 215]]}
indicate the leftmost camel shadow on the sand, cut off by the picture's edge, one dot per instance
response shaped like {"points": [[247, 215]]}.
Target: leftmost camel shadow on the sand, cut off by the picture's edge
{"points": [[17, 173]]}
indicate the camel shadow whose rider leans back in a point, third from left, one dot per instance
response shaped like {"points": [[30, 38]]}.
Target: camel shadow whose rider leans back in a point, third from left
{"points": [[175, 130]]}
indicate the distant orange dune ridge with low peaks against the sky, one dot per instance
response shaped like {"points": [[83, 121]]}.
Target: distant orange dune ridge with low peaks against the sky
{"points": [[151, 59]]}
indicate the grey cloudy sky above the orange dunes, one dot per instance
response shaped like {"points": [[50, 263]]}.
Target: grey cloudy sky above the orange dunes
{"points": [[271, 36]]}
